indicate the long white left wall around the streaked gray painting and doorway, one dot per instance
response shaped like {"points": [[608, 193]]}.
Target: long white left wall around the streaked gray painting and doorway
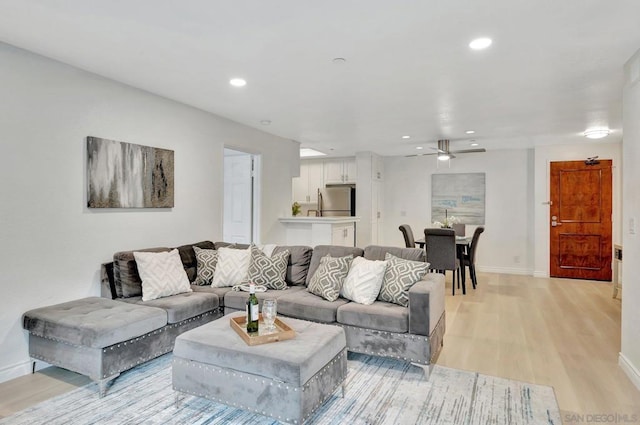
{"points": [[51, 244]]}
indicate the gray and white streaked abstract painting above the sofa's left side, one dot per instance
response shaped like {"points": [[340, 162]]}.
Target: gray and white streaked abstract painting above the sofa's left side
{"points": [[124, 175]]}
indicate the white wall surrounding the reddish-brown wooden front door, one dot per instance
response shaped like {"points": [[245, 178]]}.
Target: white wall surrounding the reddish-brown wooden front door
{"points": [[546, 154]]}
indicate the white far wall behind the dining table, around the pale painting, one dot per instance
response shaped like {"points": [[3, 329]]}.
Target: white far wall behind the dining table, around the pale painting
{"points": [[506, 245]]}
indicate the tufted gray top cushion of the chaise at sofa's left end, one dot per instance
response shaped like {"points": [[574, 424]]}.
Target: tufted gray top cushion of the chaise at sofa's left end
{"points": [[93, 322]]}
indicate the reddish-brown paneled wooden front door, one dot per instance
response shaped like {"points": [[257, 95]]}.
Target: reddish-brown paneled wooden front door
{"points": [[581, 220]]}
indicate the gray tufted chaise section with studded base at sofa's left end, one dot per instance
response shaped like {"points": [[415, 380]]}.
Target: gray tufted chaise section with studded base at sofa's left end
{"points": [[96, 337]]}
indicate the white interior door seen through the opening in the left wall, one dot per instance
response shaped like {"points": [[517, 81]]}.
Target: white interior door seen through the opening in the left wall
{"points": [[238, 197]]}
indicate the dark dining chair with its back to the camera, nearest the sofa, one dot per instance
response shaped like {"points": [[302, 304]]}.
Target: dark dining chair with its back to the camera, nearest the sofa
{"points": [[442, 254]]}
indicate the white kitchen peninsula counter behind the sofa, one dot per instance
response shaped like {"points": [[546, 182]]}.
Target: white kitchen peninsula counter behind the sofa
{"points": [[312, 231]]}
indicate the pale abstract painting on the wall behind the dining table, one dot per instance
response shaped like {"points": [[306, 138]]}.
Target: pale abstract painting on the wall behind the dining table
{"points": [[462, 195]]}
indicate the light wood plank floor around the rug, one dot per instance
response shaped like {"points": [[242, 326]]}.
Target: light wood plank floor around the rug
{"points": [[557, 332]]}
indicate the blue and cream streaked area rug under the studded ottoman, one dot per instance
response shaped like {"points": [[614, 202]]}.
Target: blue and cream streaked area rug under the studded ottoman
{"points": [[379, 391]]}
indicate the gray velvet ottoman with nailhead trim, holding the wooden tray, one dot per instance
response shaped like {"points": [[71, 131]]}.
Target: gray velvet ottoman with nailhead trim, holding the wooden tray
{"points": [[287, 380]]}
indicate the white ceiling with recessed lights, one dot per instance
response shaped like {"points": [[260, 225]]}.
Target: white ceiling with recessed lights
{"points": [[554, 68]]}
